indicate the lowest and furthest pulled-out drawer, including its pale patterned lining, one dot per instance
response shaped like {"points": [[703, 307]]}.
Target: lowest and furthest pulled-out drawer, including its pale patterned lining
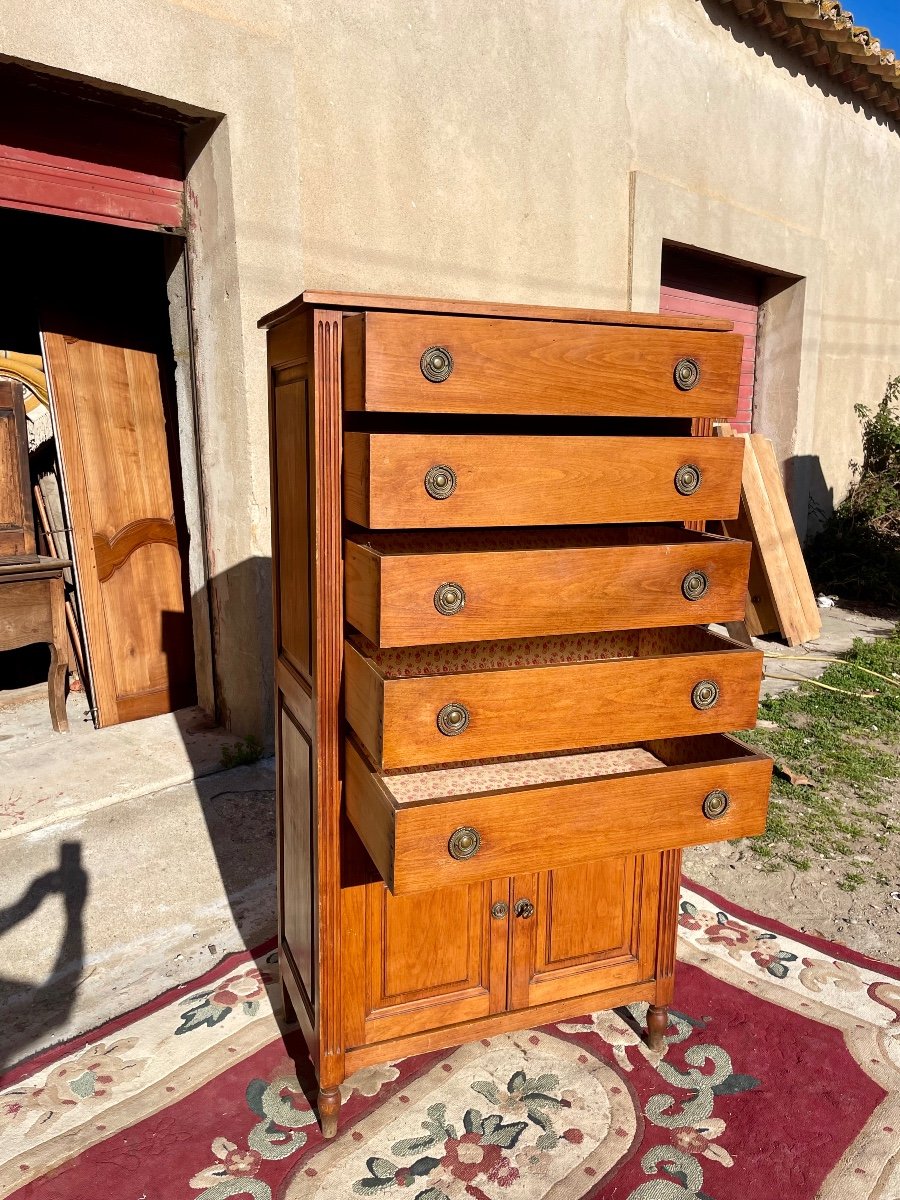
{"points": [[429, 830]]}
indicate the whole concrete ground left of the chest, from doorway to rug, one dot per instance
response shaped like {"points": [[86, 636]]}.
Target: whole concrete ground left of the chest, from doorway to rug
{"points": [[133, 862]]}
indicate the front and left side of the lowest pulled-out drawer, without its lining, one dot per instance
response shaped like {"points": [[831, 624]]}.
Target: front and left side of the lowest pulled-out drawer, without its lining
{"points": [[542, 829]]}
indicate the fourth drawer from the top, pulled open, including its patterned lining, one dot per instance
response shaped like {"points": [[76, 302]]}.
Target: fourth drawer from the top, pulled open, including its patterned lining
{"points": [[416, 706]]}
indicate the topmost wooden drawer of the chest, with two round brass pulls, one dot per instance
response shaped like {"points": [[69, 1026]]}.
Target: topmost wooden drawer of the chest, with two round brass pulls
{"points": [[427, 364]]}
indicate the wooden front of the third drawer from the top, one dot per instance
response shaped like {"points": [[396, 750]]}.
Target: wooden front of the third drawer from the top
{"points": [[398, 601]]}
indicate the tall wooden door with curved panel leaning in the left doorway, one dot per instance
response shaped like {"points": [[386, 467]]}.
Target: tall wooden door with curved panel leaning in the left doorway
{"points": [[115, 453]]}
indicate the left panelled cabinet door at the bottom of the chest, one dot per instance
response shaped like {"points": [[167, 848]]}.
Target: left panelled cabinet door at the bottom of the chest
{"points": [[422, 962]]}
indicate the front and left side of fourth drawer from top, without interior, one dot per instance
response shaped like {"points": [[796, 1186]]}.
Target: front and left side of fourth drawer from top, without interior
{"points": [[404, 723]]}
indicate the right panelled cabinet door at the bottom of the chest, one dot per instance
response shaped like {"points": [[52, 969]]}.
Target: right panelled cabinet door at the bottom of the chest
{"points": [[593, 927]]}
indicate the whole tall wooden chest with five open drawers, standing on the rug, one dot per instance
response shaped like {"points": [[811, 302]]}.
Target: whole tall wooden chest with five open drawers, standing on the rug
{"points": [[500, 712]]}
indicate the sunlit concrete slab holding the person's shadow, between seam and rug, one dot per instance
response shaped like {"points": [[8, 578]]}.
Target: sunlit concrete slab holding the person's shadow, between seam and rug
{"points": [[104, 910]]}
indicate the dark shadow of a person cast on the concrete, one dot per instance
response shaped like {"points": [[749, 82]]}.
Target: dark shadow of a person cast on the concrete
{"points": [[31, 1012]]}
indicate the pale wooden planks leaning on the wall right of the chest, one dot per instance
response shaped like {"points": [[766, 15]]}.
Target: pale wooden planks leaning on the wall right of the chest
{"points": [[781, 597]]}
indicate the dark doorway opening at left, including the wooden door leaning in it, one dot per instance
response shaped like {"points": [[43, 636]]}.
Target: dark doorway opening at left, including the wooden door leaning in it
{"points": [[86, 343]]}
